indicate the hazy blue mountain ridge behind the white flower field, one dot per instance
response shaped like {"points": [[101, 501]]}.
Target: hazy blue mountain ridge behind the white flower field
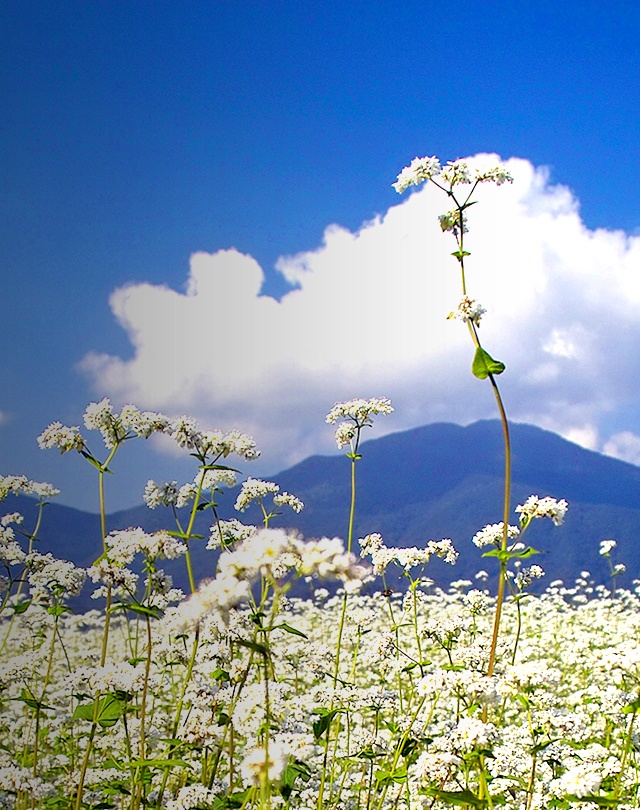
{"points": [[440, 480]]}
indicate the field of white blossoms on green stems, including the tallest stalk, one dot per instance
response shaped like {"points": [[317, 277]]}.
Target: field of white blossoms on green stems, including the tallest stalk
{"points": [[241, 694]]}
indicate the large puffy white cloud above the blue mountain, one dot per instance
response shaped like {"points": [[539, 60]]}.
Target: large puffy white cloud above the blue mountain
{"points": [[367, 316]]}
